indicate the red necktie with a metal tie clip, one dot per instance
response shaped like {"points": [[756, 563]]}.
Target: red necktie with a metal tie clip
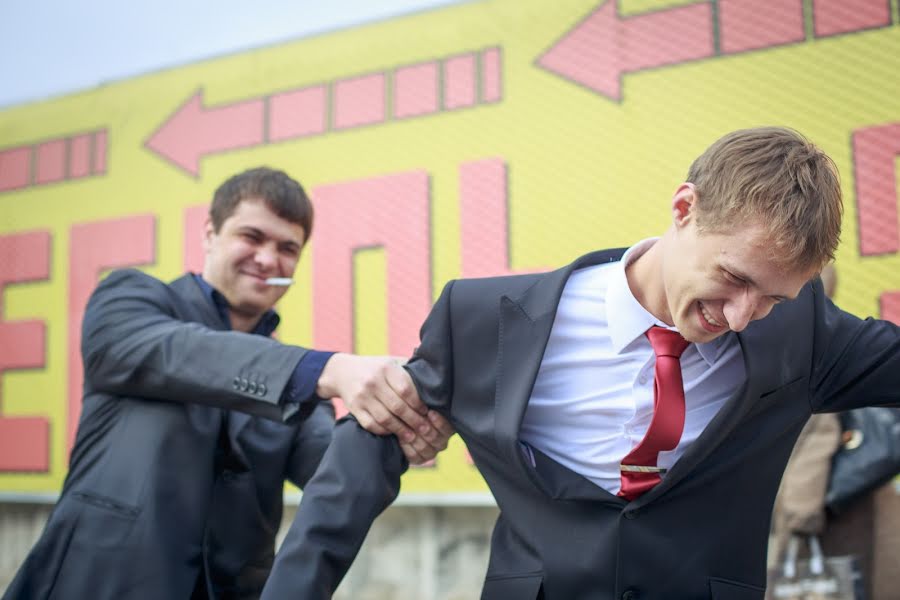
{"points": [[639, 470]]}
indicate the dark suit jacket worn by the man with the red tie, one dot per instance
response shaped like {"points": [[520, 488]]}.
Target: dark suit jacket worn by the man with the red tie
{"points": [[701, 533]]}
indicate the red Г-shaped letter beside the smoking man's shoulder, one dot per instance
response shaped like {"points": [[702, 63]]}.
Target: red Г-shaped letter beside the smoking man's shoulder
{"points": [[94, 248]]}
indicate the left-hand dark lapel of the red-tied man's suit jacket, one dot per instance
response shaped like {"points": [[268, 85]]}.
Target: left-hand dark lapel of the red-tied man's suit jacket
{"points": [[525, 324]]}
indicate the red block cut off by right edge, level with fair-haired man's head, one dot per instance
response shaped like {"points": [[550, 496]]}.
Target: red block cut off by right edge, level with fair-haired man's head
{"points": [[874, 151]]}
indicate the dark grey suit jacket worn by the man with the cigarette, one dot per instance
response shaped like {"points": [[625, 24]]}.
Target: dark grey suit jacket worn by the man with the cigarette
{"points": [[181, 454]]}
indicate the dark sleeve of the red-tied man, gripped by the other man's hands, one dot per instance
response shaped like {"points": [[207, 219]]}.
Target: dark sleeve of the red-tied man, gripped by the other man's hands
{"points": [[357, 479]]}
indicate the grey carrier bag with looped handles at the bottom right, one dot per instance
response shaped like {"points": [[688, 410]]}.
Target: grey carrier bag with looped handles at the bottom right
{"points": [[816, 578]]}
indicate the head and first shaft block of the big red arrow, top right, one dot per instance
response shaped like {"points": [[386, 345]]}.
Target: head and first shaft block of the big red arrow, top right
{"points": [[598, 50]]}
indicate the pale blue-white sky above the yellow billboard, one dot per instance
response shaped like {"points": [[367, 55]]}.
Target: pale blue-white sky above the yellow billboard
{"points": [[53, 47]]}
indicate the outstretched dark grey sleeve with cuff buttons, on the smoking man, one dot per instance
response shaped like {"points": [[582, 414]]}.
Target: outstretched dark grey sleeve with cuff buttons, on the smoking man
{"points": [[134, 344]]}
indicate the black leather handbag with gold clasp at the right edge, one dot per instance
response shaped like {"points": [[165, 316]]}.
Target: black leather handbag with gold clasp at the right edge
{"points": [[869, 457]]}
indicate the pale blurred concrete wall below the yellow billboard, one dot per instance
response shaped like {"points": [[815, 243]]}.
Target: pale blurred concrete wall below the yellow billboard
{"points": [[412, 552]]}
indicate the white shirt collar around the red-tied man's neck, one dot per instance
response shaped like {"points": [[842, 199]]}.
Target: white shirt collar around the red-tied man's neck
{"points": [[631, 320]]}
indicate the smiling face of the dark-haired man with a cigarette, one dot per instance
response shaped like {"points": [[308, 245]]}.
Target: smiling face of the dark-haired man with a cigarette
{"points": [[252, 245]]}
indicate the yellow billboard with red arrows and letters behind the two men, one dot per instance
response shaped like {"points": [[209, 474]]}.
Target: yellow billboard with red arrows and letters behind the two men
{"points": [[479, 139]]}
